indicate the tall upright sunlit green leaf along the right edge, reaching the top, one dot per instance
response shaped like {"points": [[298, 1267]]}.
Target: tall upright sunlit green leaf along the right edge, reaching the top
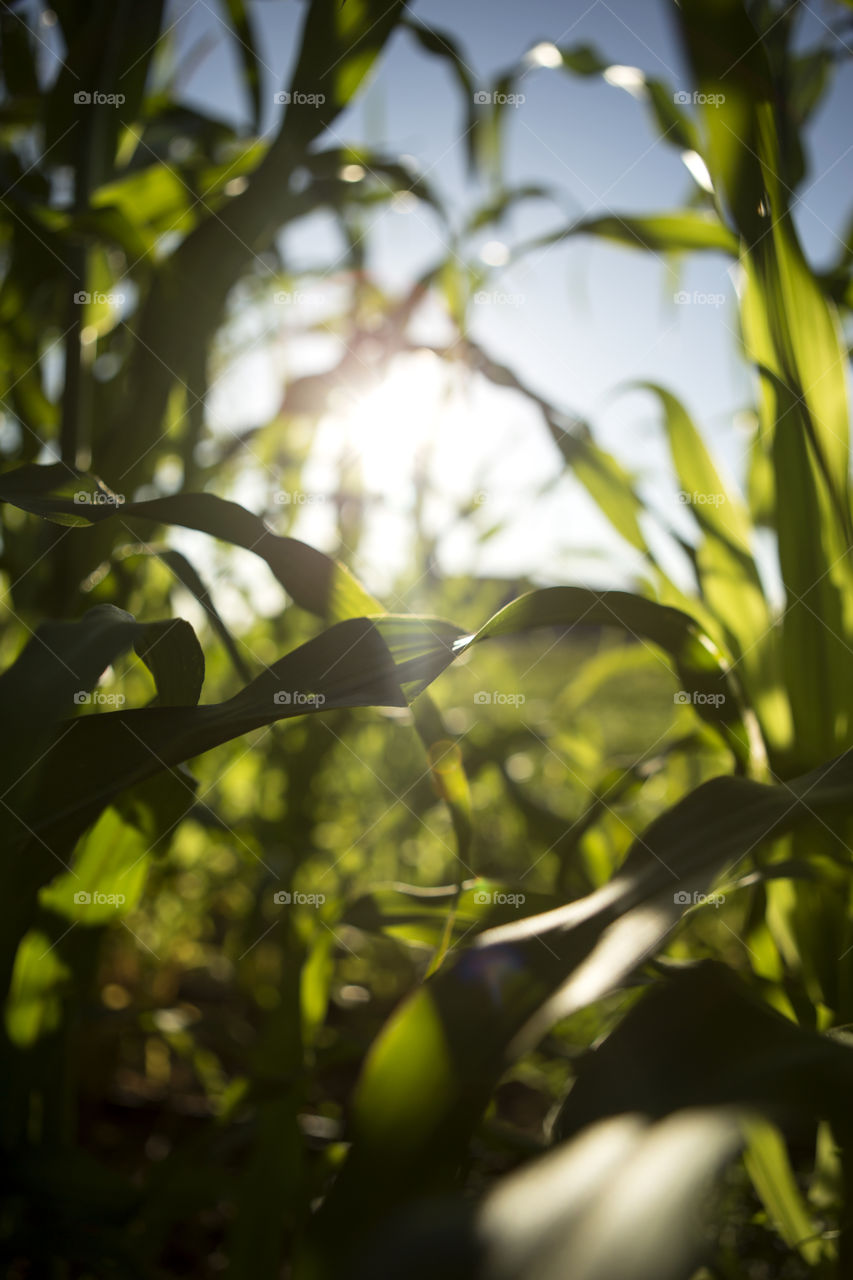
{"points": [[792, 335]]}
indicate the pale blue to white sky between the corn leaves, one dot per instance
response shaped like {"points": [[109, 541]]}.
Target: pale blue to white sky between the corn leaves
{"points": [[583, 319]]}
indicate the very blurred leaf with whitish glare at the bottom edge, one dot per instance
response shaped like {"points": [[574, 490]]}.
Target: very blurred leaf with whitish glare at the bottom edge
{"points": [[624, 1201]]}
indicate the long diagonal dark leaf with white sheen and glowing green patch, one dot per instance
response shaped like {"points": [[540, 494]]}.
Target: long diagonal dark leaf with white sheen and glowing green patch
{"points": [[430, 1075]]}
